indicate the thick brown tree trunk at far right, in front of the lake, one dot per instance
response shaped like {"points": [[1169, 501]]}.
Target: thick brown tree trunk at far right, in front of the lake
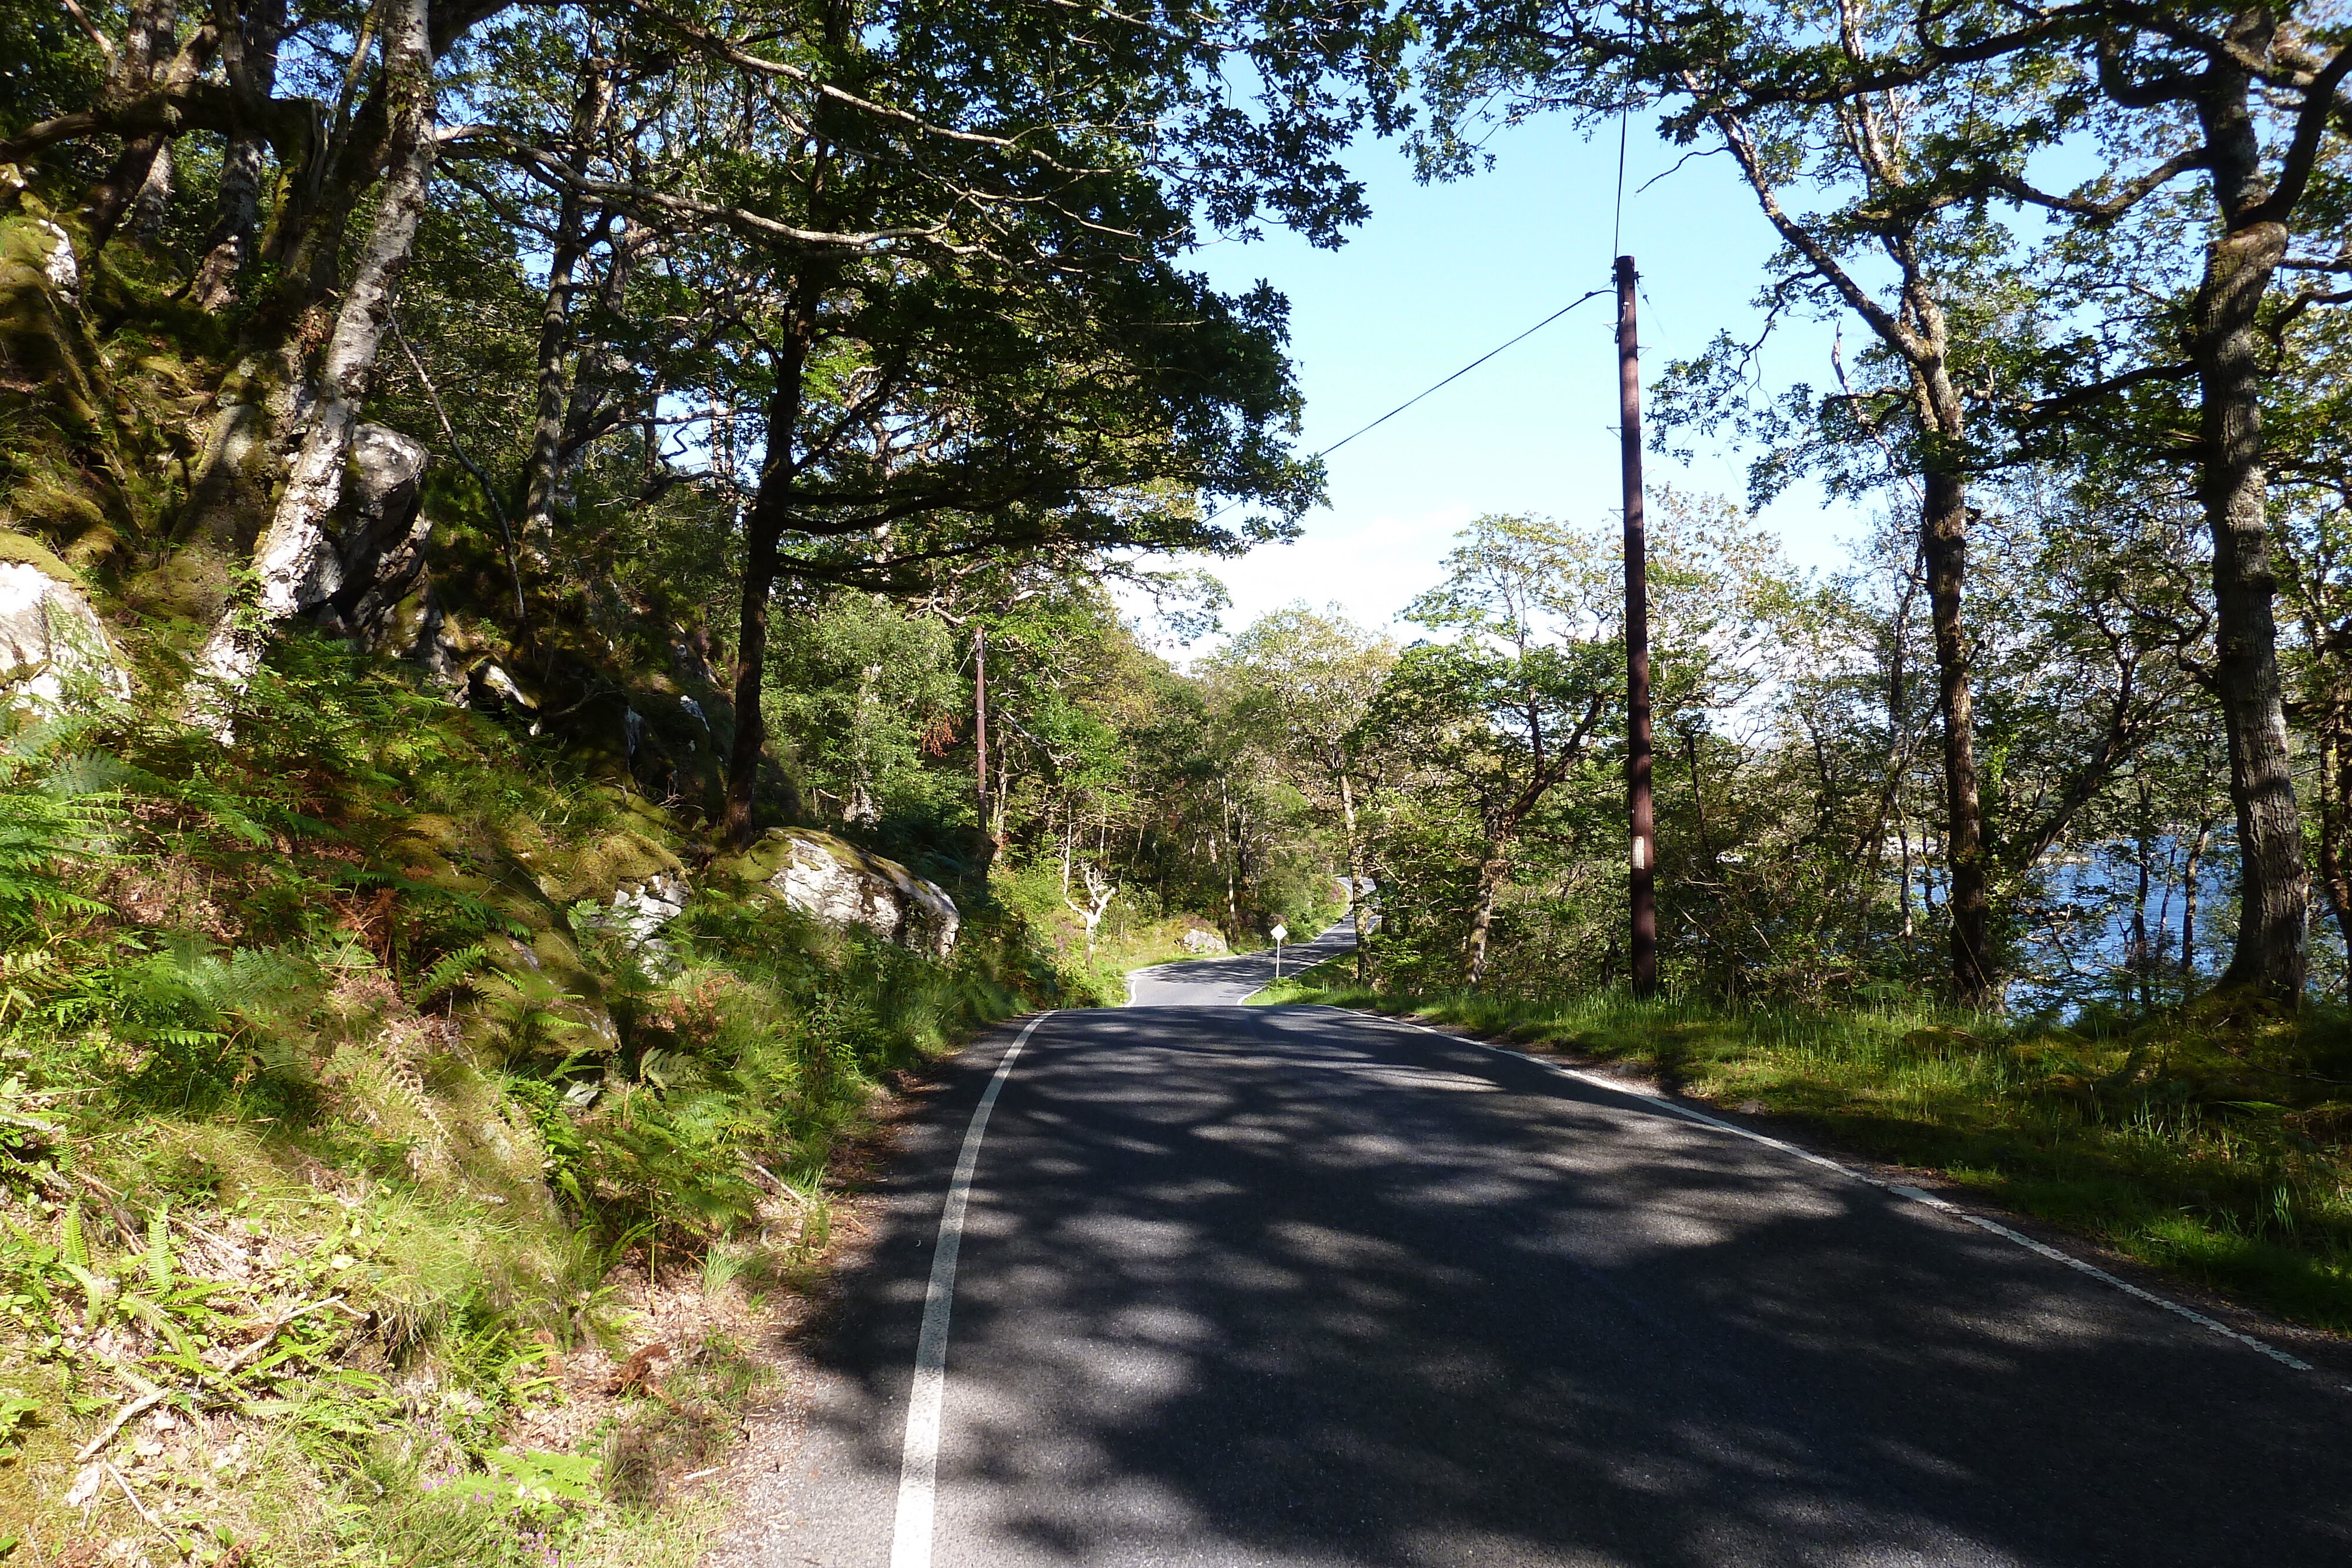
{"points": [[2233, 490]]}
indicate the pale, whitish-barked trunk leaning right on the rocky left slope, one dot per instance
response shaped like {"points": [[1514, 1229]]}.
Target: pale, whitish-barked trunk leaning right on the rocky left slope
{"points": [[293, 561]]}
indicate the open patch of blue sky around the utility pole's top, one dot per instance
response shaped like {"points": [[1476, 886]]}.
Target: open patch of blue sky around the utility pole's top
{"points": [[1443, 274]]}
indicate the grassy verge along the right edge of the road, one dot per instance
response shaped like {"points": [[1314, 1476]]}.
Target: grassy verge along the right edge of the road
{"points": [[2210, 1141]]}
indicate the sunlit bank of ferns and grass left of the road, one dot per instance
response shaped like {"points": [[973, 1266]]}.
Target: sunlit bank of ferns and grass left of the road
{"points": [[338, 1115]]}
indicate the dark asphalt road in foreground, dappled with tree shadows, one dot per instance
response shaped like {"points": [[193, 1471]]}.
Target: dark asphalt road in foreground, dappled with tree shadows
{"points": [[1295, 1287]]}
